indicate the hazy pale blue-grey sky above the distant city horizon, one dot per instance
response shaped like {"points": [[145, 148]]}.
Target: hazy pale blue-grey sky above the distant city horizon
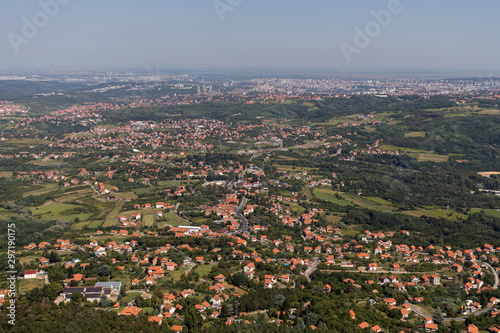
{"points": [[424, 34]]}
